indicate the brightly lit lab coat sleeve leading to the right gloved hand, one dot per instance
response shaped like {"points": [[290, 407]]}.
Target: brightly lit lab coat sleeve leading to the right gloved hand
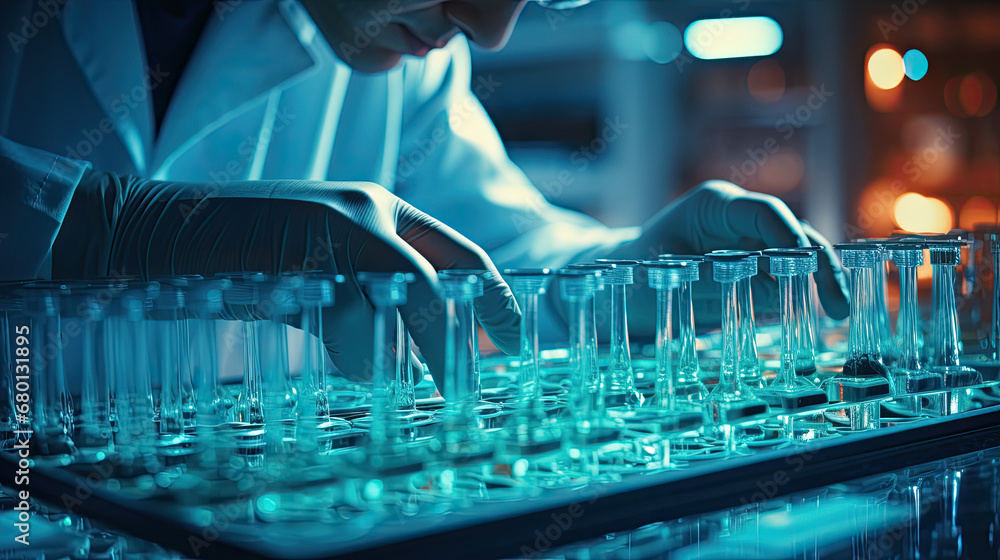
{"points": [[453, 166]]}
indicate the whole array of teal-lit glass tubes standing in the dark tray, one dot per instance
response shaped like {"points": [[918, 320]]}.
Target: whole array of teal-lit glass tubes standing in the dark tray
{"points": [[149, 391]]}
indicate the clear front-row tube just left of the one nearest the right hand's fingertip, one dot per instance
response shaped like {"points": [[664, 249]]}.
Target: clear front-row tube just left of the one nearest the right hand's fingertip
{"points": [[732, 399]]}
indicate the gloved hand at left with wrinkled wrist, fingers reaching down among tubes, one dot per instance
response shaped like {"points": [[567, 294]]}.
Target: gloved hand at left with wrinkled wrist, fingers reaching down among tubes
{"points": [[150, 228]]}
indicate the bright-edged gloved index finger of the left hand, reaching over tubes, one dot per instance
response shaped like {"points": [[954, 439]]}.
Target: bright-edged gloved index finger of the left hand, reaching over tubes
{"points": [[445, 249]]}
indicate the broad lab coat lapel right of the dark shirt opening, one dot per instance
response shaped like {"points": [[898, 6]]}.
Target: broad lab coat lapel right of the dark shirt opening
{"points": [[246, 50]]}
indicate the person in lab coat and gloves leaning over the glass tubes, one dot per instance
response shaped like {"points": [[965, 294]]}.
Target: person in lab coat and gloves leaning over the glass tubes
{"points": [[194, 137]]}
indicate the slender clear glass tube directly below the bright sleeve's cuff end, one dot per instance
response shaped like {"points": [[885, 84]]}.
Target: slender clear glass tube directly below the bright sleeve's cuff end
{"points": [[621, 376]]}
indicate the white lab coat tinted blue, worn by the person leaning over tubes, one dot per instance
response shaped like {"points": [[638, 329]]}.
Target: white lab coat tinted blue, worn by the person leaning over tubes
{"points": [[264, 97]]}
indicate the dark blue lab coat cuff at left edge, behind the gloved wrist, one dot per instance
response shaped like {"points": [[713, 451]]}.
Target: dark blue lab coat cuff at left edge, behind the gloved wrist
{"points": [[35, 192]]}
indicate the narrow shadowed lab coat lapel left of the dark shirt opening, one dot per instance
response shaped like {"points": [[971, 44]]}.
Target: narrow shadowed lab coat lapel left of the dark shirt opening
{"points": [[104, 39]]}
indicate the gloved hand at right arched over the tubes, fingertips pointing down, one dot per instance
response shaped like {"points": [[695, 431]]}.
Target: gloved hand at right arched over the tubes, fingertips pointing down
{"points": [[720, 215]]}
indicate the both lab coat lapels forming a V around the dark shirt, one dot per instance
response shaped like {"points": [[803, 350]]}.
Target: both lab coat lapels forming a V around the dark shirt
{"points": [[246, 50]]}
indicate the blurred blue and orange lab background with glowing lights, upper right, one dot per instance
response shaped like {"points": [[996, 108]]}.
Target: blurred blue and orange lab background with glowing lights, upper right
{"points": [[864, 117]]}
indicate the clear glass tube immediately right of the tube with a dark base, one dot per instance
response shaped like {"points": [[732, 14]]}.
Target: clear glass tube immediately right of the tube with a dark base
{"points": [[909, 374]]}
